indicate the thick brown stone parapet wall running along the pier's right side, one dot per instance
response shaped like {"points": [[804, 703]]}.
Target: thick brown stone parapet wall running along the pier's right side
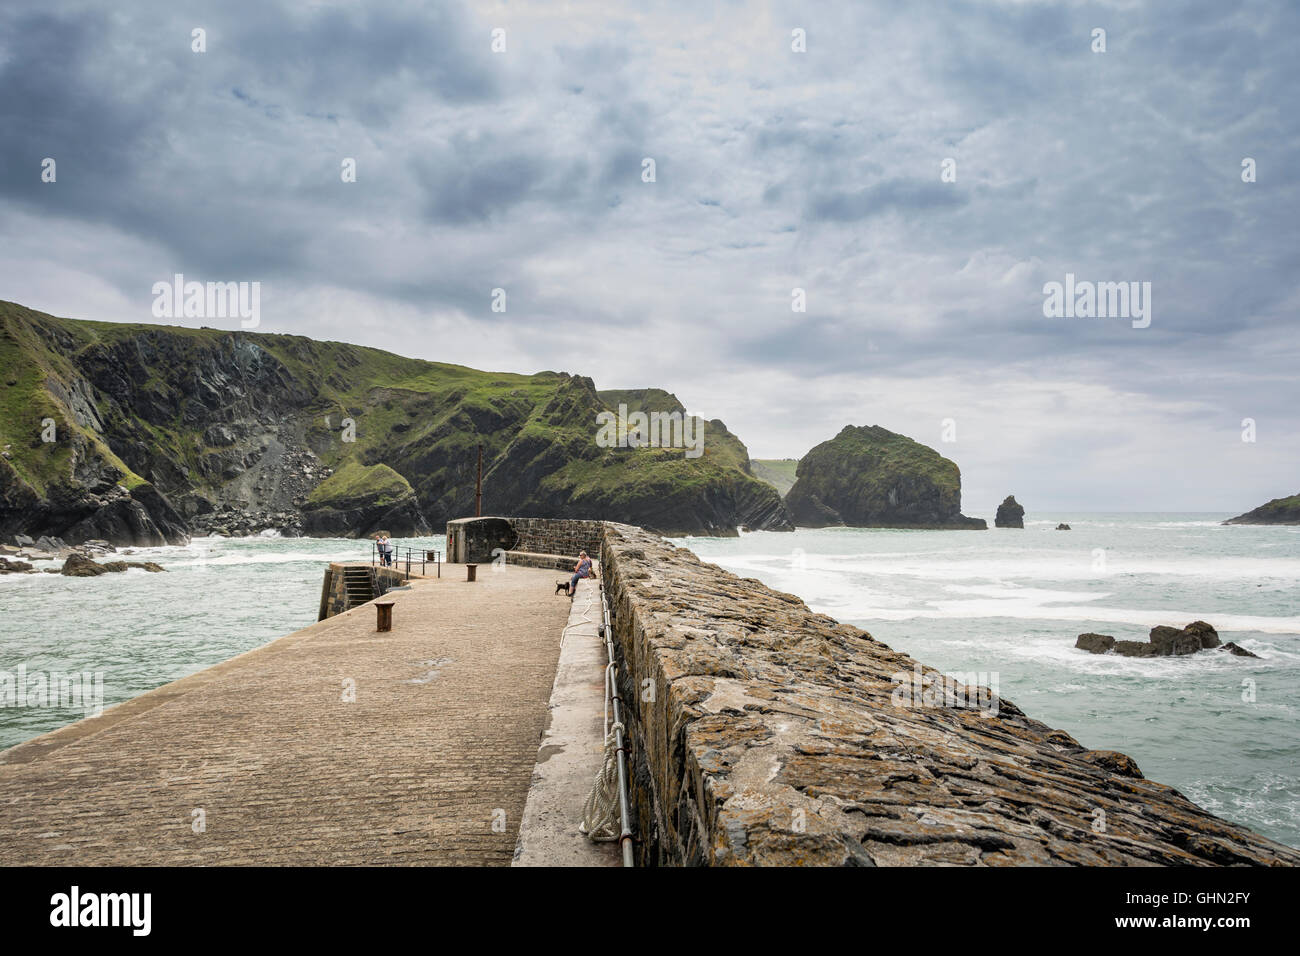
{"points": [[764, 734]]}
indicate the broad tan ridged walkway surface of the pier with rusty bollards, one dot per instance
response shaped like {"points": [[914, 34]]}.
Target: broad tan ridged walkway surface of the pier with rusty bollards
{"points": [[331, 746]]}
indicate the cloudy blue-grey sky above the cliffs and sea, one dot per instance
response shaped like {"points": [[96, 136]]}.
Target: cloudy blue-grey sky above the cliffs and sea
{"points": [[774, 170]]}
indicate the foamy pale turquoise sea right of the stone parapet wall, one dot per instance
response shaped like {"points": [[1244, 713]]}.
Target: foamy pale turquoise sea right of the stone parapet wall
{"points": [[1012, 603]]}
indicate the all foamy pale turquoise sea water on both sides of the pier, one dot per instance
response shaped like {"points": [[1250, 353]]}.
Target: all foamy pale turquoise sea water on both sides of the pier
{"points": [[1008, 603]]}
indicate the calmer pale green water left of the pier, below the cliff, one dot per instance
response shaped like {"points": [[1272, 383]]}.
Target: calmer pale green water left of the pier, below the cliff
{"points": [[140, 630]]}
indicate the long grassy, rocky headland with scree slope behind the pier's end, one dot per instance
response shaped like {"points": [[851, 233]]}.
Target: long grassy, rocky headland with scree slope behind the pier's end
{"points": [[141, 435]]}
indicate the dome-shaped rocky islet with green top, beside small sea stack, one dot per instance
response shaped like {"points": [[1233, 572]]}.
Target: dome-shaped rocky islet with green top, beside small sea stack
{"points": [[873, 478]]}
